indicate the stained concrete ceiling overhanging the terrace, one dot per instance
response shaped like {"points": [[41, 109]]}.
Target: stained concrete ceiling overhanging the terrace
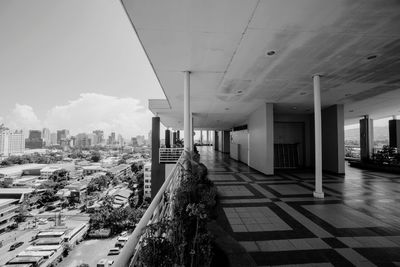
{"points": [[355, 44]]}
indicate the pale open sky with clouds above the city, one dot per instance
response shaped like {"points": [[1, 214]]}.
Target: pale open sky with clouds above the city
{"points": [[74, 65]]}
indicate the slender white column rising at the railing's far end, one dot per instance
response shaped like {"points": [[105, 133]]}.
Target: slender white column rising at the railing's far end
{"points": [[186, 112]]}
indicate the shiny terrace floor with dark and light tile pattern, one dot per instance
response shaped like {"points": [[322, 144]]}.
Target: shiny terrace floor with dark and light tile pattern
{"points": [[276, 219]]}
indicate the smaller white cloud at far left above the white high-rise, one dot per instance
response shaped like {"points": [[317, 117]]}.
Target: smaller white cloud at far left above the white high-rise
{"points": [[22, 117]]}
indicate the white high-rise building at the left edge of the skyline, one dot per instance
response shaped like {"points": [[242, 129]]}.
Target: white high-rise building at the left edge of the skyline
{"points": [[11, 142]]}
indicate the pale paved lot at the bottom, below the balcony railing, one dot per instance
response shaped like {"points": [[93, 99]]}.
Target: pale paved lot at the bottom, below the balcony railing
{"points": [[90, 252]]}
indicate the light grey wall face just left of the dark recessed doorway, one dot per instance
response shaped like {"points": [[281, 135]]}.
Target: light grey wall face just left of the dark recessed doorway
{"points": [[261, 130]]}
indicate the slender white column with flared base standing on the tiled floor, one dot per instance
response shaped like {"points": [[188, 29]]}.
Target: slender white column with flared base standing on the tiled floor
{"points": [[318, 193]]}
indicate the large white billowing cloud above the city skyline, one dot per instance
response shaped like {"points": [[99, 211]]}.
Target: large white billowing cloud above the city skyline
{"points": [[96, 111]]}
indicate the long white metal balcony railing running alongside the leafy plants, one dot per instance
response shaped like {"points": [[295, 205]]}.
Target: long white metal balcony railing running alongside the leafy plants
{"points": [[160, 208]]}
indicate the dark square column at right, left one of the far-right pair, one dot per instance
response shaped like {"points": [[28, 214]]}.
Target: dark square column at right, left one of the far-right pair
{"points": [[366, 138]]}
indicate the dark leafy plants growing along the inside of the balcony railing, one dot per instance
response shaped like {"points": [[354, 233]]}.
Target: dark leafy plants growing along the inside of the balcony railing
{"points": [[186, 231]]}
